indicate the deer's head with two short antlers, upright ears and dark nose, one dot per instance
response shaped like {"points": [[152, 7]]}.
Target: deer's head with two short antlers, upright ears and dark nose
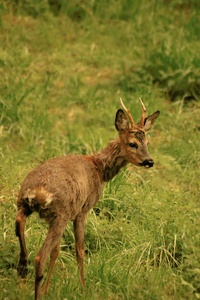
{"points": [[133, 136]]}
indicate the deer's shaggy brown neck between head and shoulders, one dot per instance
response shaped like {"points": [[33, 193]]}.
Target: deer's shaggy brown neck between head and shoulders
{"points": [[110, 160]]}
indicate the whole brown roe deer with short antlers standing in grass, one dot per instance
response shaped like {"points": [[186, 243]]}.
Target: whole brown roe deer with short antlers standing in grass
{"points": [[65, 188]]}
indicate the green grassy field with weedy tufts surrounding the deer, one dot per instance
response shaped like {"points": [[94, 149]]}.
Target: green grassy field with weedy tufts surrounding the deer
{"points": [[62, 71]]}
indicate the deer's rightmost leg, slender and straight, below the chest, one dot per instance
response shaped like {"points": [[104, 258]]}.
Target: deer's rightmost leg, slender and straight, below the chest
{"points": [[79, 230]]}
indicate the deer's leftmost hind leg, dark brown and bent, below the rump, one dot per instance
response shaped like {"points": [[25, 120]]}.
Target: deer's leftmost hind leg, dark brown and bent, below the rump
{"points": [[19, 229]]}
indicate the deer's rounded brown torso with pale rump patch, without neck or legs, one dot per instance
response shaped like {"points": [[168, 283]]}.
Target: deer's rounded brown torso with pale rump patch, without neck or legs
{"points": [[64, 185]]}
